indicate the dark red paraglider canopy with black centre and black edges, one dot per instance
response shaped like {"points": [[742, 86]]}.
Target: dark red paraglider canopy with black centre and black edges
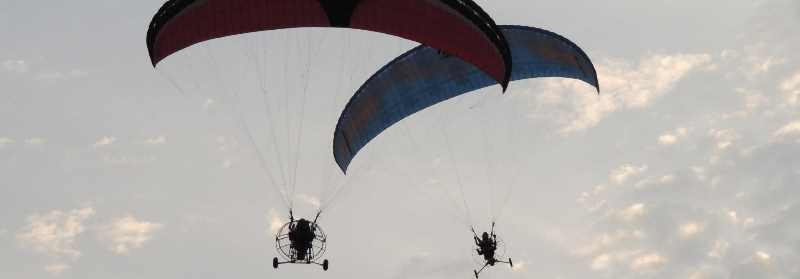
{"points": [[457, 27]]}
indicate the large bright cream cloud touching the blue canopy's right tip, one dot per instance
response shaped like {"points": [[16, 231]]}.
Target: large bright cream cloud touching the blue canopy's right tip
{"points": [[624, 87]]}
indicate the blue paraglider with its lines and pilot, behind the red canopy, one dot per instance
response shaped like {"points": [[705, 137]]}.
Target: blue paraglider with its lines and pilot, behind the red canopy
{"points": [[425, 76]]}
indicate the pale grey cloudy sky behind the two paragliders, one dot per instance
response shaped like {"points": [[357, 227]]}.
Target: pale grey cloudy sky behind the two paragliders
{"points": [[686, 165]]}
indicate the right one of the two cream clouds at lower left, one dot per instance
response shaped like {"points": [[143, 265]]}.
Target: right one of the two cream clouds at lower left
{"points": [[128, 233]]}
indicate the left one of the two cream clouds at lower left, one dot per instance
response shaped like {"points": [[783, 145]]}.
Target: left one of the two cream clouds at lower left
{"points": [[54, 233]]}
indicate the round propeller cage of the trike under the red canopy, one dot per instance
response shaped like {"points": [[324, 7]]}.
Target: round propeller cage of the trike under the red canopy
{"points": [[288, 254]]}
